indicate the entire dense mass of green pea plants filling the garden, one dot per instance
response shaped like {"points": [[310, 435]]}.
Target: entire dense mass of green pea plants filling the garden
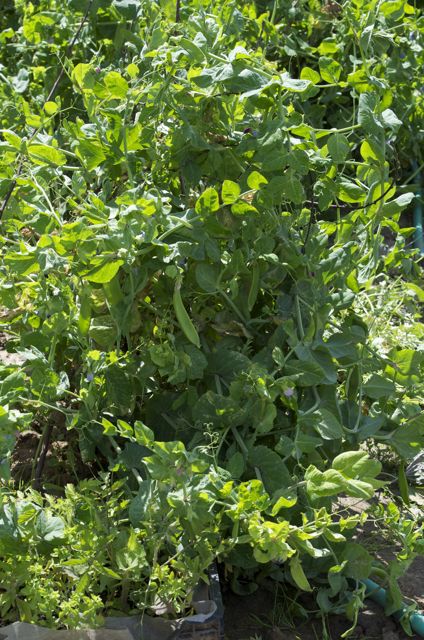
{"points": [[194, 197]]}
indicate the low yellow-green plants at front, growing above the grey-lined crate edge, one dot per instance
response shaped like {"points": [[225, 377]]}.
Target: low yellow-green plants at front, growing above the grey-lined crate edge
{"points": [[148, 551]]}
